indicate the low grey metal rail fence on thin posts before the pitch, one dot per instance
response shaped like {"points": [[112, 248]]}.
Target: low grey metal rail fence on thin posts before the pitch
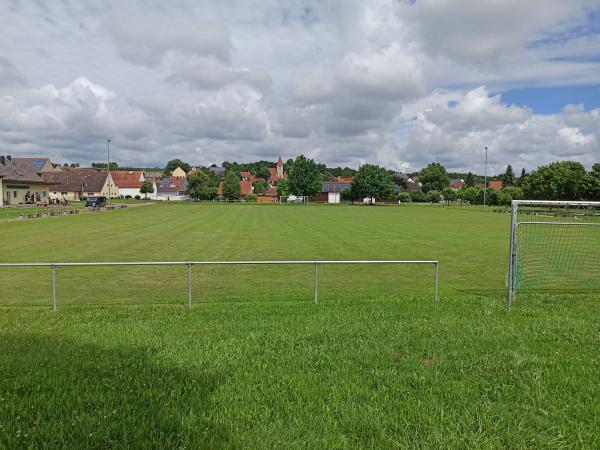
{"points": [[190, 264]]}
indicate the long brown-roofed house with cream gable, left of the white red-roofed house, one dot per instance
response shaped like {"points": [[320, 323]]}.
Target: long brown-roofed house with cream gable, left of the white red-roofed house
{"points": [[72, 184]]}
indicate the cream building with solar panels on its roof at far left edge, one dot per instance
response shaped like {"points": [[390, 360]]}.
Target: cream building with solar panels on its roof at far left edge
{"points": [[20, 184]]}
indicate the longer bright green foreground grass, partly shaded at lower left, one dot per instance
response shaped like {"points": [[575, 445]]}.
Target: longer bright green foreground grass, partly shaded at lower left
{"points": [[381, 373]]}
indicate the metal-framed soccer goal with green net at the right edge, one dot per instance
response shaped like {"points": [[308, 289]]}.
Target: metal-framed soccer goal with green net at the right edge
{"points": [[554, 245]]}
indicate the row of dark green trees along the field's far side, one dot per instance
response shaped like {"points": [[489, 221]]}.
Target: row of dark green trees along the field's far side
{"points": [[562, 180]]}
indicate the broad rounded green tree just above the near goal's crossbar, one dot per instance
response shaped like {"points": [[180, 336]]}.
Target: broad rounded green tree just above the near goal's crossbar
{"points": [[563, 180]]}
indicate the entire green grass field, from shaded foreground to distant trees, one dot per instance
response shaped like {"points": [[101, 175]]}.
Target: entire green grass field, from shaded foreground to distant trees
{"points": [[256, 364]]}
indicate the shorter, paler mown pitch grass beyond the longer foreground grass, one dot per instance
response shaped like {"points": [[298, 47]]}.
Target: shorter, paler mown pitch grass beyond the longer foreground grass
{"points": [[469, 244]]}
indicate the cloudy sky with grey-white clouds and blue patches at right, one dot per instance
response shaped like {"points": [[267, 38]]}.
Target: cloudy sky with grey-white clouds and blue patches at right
{"points": [[395, 82]]}
